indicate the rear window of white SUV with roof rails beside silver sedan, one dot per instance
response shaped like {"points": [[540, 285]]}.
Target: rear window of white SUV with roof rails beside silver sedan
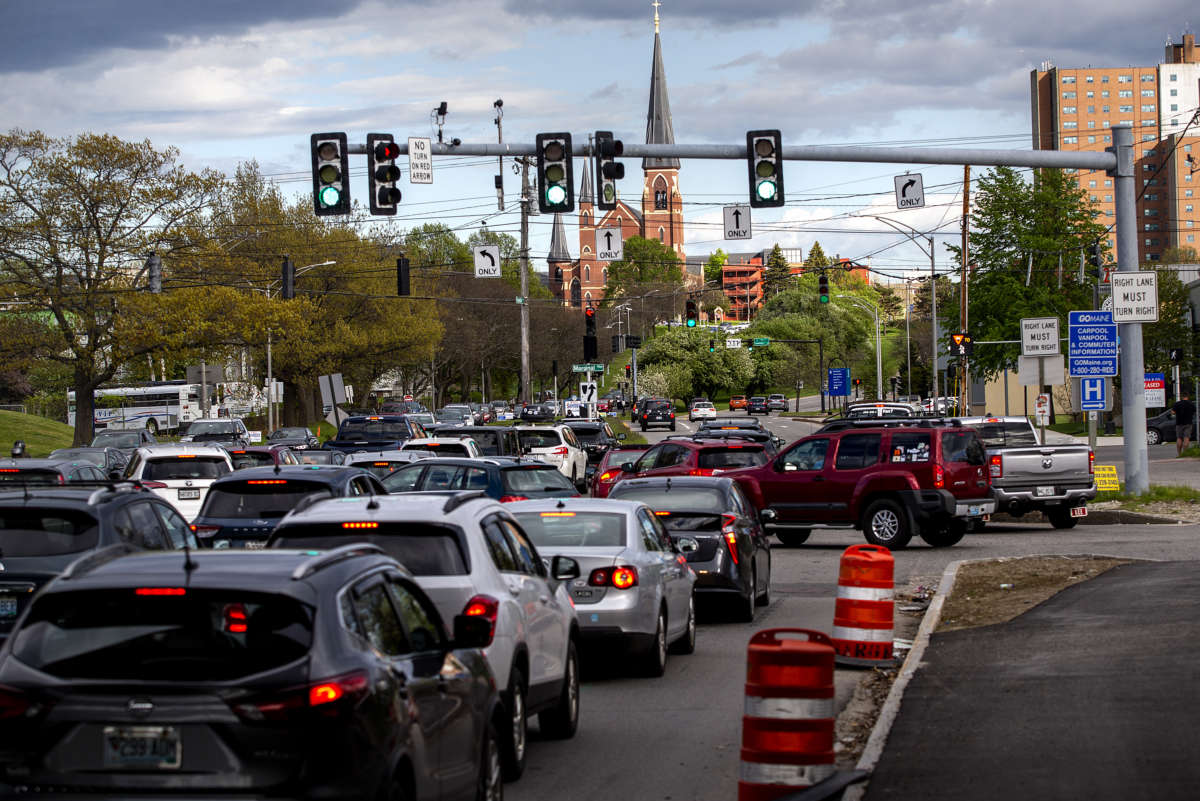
{"points": [[425, 550]]}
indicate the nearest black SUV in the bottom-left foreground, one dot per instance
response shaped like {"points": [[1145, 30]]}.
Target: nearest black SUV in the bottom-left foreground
{"points": [[275, 673]]}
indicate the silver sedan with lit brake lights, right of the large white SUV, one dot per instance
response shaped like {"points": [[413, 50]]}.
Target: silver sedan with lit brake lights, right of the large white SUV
{"points": [[635, 585]]}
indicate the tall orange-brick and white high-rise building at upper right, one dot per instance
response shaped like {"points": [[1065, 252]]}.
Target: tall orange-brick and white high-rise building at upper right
{"points": [[1075, 109]]}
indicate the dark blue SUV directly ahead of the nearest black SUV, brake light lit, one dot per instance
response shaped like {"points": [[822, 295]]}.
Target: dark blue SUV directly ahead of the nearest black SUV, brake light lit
{"points": [[242, 509]]}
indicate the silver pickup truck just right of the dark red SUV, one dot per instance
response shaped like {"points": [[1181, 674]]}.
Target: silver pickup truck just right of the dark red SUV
{"points": [[1028, 477]]}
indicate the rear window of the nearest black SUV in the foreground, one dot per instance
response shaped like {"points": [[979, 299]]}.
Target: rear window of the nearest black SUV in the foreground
{"points": [[161, 633]]}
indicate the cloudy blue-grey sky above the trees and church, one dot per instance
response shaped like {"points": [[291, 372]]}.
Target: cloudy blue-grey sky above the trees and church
{"points": [[227, 82]]}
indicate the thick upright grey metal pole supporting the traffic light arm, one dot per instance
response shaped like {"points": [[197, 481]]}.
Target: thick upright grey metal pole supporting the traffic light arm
{"points": [[1133, 403]]}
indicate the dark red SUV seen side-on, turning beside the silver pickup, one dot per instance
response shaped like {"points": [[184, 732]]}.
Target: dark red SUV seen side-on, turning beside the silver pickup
{"points": [[890, 483]]}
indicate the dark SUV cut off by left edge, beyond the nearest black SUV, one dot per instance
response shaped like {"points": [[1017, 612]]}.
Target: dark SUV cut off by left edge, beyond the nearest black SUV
{"points": [[45, 529]]}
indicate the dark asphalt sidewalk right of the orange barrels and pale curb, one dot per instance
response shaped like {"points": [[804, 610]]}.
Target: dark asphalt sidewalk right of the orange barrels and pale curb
{"points": [[1091, 695]]}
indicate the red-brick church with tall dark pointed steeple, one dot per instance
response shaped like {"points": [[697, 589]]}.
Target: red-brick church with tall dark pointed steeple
{"points": [[658, 214]]}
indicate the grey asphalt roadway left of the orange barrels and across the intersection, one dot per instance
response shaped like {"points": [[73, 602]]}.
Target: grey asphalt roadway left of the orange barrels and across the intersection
{"points": [[677, 738]]}
